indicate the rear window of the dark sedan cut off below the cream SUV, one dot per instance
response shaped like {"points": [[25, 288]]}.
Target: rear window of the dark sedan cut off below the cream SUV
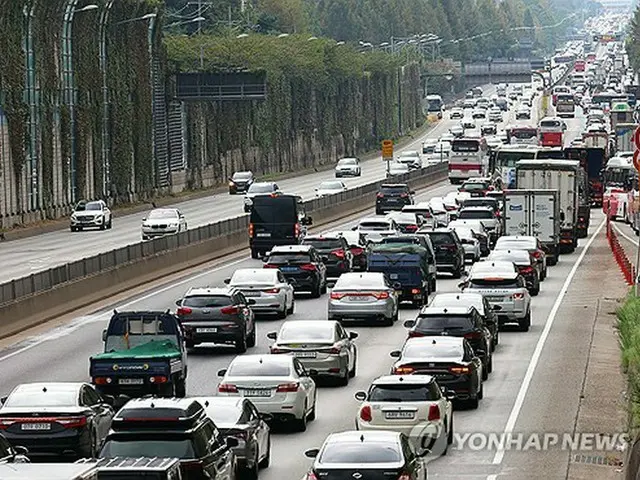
{"points": [[361, 452]]}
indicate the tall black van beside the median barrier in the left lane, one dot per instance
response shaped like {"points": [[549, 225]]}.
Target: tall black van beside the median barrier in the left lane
{"points": [[276, 220]]}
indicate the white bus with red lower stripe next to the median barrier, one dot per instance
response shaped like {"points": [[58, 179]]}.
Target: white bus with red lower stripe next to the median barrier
{"points": [[467, 159]]}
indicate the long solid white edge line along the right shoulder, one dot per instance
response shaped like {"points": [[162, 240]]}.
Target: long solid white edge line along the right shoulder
{"points": [[535, 358]]}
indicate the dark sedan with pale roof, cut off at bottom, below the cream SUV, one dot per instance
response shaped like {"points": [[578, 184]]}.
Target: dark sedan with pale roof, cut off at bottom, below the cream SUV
{"points": [[387, 455]]}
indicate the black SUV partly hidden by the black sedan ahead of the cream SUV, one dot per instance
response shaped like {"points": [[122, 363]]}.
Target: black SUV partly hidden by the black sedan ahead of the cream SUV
{"points": [[463, 321]]}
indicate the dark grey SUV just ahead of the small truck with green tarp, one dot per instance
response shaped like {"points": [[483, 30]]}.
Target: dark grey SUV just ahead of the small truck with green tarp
{"points": [[217, 315]]}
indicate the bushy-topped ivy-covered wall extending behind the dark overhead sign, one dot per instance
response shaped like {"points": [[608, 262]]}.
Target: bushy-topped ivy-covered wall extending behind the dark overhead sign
{"points": [[324, 100]]}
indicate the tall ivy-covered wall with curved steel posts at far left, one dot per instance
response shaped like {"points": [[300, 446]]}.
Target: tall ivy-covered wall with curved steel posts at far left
{"points": [[53, 118]]}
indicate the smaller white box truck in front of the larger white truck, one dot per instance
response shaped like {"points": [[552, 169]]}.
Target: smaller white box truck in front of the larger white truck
{"points": [[534, 213]]}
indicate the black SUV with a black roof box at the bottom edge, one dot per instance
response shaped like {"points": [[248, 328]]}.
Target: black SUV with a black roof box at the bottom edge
{"points": [[172, 428]]}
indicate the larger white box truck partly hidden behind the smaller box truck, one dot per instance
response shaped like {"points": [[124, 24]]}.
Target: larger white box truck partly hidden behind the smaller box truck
{"points": [[560, 175]]}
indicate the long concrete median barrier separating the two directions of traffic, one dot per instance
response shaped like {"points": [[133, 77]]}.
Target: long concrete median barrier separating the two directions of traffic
{"points": [[29, 301]]}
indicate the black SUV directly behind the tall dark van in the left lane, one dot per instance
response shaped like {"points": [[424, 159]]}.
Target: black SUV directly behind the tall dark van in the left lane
{"points": [[301, 265]]}
